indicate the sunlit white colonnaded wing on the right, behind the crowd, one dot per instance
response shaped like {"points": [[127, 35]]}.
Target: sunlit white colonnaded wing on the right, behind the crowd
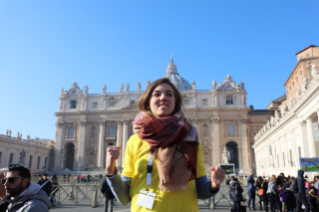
{"points": [[289, 134]]}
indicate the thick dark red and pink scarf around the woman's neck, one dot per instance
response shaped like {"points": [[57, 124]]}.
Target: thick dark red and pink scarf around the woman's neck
{"points": [[177, 144]]}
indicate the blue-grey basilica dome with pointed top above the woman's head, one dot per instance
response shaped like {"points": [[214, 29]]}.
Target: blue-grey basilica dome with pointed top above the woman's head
{"points": [[173, 76]]}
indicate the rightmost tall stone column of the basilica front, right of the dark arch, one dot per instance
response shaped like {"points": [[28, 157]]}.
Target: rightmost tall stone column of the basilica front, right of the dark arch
{"points": [[244, 143]]}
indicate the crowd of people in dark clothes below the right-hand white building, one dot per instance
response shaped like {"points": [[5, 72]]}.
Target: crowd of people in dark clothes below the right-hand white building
{"points": [[283, 194]]}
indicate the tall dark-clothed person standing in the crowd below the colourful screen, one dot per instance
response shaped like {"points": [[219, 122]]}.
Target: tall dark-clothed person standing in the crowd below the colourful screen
{"points": [[301, 195]]}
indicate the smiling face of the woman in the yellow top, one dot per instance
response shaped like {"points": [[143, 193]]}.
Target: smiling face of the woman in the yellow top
{"points": [[162, 102]]}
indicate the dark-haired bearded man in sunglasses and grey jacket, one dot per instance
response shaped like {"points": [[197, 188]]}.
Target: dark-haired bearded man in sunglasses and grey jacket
{"points": [[25, 196]]}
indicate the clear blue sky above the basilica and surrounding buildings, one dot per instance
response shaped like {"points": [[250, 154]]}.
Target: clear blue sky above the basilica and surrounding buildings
{"points": [[46, 45]]}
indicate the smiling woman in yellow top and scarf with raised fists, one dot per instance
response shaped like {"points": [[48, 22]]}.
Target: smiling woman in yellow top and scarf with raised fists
{"points": [[164, 147]]}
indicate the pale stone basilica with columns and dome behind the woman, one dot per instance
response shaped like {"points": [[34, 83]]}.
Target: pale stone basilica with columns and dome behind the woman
{"points": [[88, 123]]}
